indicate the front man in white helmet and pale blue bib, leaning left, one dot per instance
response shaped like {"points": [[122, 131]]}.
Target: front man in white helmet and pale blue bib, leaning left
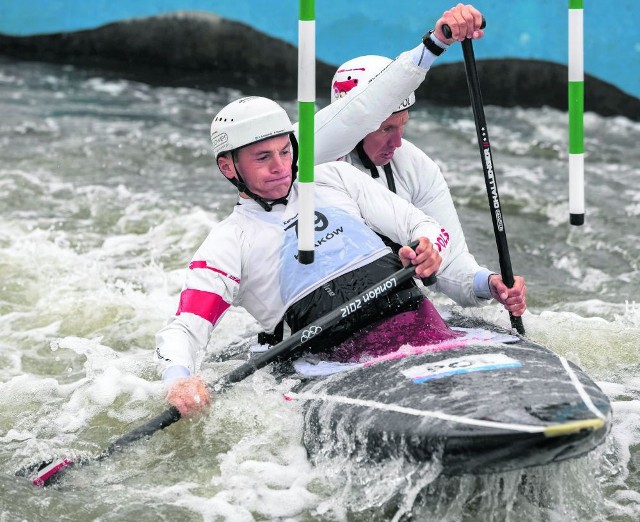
{"points": [[250, 258]]}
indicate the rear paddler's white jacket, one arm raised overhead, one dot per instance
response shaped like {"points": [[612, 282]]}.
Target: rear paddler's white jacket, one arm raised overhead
{"points": [[417, 178]]}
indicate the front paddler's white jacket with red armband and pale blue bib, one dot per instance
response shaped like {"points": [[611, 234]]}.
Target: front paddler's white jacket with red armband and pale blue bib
{"points": [[249, 259]]}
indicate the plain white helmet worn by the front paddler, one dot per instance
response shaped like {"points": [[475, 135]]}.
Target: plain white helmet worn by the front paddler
{"points": [[246, 121]]}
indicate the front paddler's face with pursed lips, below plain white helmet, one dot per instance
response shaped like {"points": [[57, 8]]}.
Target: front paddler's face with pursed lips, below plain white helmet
{"points": [[264, 166]]}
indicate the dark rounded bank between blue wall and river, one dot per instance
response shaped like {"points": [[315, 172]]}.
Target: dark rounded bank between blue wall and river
{"points": [[207, 52]]}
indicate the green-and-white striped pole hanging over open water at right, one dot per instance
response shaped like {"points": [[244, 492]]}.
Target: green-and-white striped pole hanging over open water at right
{"points": [[576, 113]]}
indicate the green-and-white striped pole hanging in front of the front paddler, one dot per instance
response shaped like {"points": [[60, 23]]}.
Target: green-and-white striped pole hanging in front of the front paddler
{"points": [[306, 109]]}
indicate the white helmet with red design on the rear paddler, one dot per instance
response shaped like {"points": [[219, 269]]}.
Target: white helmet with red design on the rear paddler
{"points": [[357, 73]]}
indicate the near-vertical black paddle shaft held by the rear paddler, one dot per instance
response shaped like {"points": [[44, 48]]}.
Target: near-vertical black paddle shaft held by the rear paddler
{"points": [[489, 174]]}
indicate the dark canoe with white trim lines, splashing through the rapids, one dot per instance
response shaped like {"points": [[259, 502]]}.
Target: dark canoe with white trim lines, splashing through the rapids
{"points": [[486, 402]]}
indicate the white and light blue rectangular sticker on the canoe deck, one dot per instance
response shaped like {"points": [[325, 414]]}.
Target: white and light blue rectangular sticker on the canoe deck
{"points": [[460, 365]]}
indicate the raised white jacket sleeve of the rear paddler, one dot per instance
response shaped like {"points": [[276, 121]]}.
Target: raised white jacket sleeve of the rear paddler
{"points": [[341, 125]]}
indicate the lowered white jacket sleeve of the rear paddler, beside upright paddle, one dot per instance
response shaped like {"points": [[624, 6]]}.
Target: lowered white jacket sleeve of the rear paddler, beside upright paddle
{"points": [[430, 193]]}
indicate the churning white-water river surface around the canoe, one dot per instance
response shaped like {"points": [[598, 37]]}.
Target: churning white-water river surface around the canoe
{"points": [[107, 188]]}
